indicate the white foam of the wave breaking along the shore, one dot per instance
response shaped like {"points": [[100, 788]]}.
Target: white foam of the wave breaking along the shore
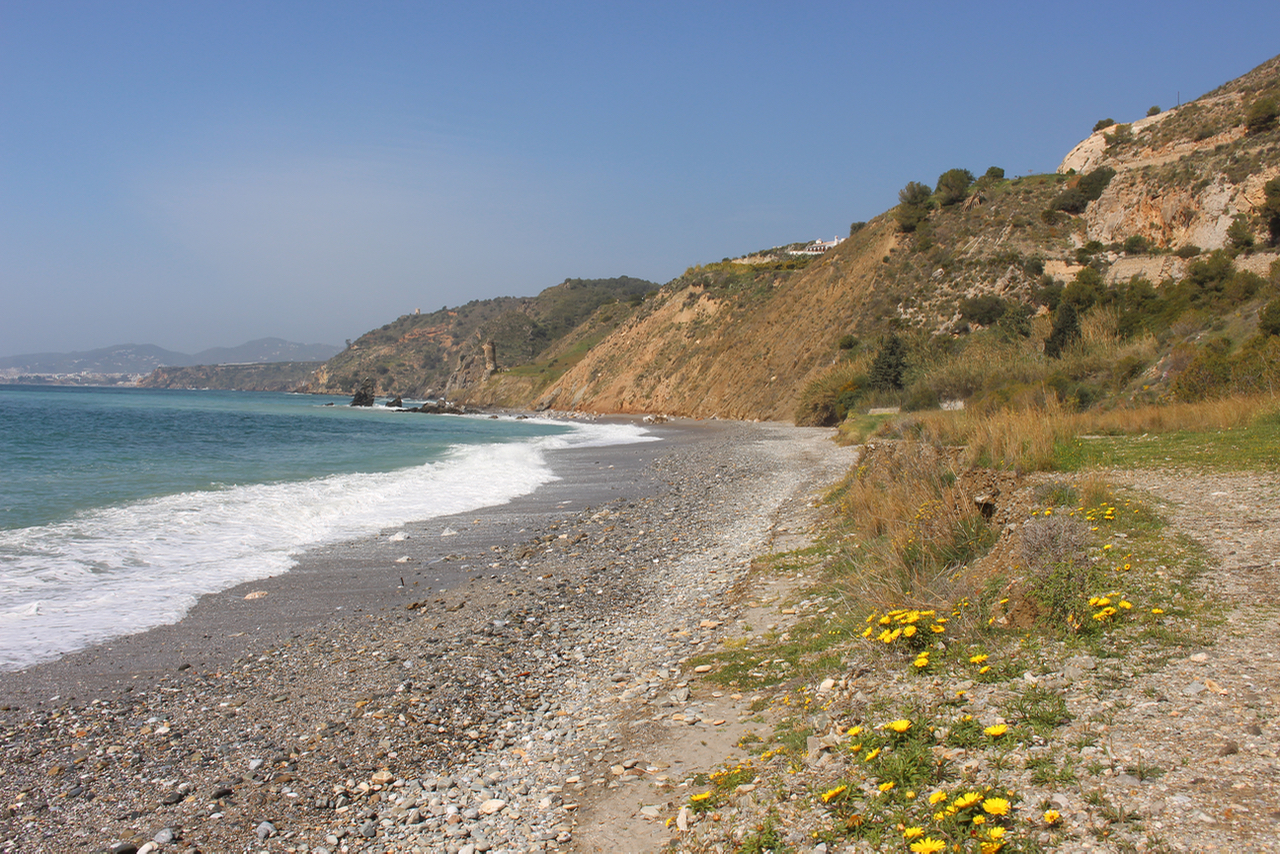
{"points": [[120, 570]]}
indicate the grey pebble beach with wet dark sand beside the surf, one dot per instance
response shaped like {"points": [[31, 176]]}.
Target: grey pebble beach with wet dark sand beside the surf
{"points": [[445, 688]]}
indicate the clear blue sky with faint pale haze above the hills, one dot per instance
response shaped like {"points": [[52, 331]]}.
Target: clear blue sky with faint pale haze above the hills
{"points": [[198, 175]]}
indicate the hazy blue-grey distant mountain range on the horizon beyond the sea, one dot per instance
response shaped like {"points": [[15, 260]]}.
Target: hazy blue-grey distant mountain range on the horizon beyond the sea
{"points": [[143, 359]]}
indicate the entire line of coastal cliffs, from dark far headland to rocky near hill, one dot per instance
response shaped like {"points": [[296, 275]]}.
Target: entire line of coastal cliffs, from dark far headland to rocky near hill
{"points": [[748, 339]]}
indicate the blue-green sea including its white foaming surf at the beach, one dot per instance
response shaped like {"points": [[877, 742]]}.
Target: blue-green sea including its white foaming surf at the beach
{"points": [[120, 506]]}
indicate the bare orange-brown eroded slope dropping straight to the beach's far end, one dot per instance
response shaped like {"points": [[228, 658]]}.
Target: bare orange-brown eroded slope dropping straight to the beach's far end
{"points": [[700, 351]]}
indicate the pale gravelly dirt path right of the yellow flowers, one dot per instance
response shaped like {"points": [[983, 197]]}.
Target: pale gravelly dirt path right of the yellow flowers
{"points": [[1210, 719]]}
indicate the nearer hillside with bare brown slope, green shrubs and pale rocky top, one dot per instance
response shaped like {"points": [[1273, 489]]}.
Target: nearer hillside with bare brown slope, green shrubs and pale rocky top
{"points": [[1144, 268]]}
